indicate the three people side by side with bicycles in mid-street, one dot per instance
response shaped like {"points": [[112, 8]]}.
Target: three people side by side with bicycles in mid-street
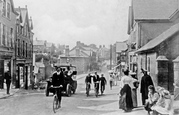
{"points": [[97, 80]]}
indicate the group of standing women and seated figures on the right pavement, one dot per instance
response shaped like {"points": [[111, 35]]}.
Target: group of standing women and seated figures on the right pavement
{"points": [[156, 100]]}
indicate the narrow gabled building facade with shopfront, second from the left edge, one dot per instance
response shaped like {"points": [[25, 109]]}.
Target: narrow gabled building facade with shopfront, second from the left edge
{"points": [[24, 48]]}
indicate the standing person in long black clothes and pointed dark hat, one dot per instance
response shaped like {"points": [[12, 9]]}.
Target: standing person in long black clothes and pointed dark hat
{"points": [[146, 81]]}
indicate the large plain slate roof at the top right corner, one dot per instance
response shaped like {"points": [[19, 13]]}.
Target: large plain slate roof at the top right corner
{"points": [[154, 9]]}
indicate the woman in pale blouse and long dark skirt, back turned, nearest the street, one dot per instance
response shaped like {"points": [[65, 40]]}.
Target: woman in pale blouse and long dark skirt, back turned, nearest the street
{"points": [[126, 93]]}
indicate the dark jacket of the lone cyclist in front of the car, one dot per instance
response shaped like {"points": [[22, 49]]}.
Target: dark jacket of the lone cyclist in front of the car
{"points": [[58, 80]]}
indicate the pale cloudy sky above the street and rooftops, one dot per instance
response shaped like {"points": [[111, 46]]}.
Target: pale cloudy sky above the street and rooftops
{"points": [[100, 22]]}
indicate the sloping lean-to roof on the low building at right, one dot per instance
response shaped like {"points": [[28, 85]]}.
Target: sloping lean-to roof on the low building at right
{"points": [[162, 37]]}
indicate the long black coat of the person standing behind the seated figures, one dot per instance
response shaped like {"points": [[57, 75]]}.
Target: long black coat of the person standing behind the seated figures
{"points": [[146, 81]]}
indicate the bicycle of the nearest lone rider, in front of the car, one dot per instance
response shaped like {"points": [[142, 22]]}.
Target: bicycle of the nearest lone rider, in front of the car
{"points": [[56, 104]]}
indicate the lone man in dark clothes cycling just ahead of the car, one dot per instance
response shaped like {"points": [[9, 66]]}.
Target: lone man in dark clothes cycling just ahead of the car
{"points": [[58, 80]]}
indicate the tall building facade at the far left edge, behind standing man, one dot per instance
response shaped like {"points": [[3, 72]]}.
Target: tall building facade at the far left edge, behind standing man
{"points": [[7, 36]]}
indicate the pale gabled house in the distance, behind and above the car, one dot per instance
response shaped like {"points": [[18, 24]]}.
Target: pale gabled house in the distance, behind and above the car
{"points": [[80, 56]]}
